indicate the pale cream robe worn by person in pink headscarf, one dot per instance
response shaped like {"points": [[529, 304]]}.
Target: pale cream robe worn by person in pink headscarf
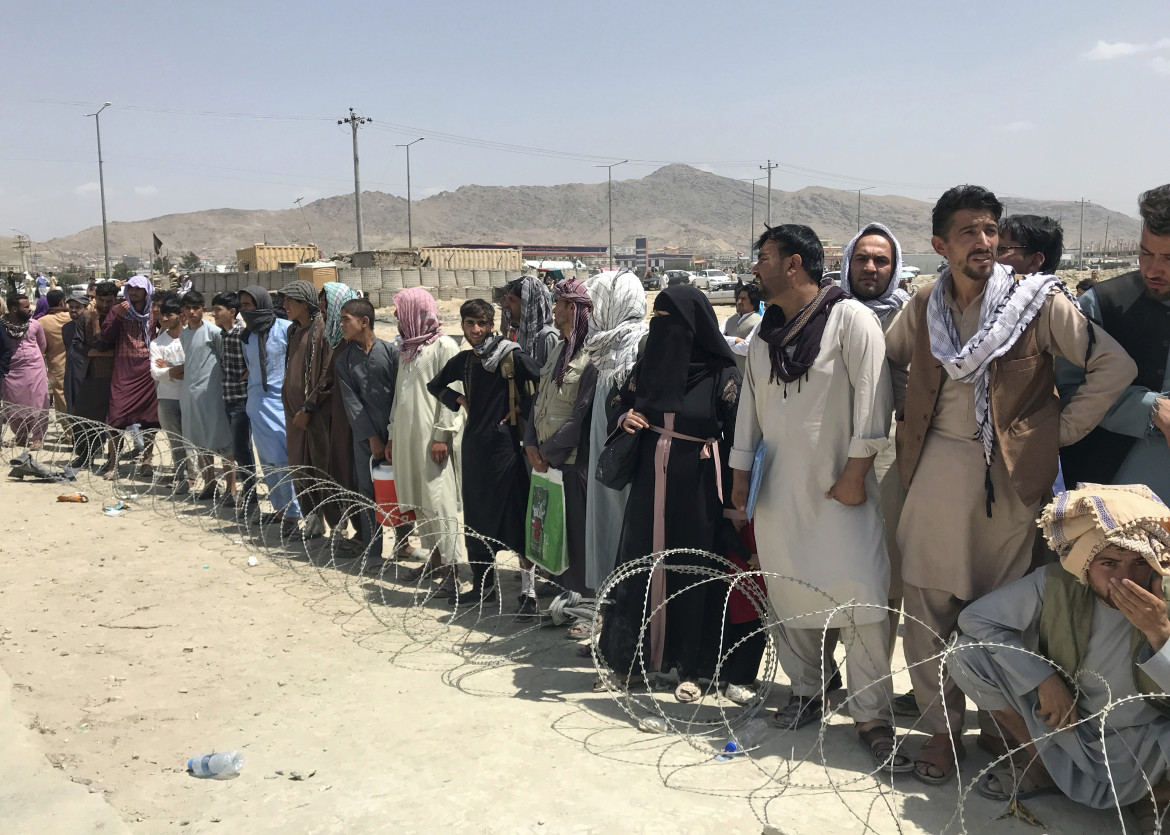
{"points": [[418, 420]]}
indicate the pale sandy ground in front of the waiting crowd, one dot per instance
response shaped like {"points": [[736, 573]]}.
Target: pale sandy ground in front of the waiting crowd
{"points": [[135, 643]]}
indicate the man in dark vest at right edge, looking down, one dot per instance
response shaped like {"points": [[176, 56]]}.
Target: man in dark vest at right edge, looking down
{"points": [[1131, 446]]}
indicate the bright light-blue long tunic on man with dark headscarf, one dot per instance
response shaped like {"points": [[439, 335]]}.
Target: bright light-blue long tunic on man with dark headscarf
{"points": [[266, 411]]}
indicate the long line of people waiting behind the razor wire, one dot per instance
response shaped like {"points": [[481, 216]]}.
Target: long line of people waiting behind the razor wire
{"points": [[859, 451]]}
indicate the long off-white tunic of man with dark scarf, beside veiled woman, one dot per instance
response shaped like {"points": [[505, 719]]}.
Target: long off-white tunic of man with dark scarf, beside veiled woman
{"points": [[842, 411]]}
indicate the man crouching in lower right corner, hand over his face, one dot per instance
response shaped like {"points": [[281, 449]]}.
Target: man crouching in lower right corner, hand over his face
{"points": [[1097, 620]]}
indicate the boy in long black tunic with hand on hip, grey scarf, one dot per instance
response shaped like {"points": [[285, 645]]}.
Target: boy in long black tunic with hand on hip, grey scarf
{"points": [[499, 384]]}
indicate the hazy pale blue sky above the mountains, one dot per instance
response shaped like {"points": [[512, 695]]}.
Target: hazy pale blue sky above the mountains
{"points": [[236, 105]]}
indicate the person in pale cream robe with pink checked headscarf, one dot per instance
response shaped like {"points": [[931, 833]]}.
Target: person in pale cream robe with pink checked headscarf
{"points": [[423, 434]]}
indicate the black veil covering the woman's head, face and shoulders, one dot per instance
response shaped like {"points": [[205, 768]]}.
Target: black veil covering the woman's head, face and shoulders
{"points": [[684, 347]]}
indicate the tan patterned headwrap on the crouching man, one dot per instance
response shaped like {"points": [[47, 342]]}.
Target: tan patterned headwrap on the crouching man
{"points": [[1080, 525]]}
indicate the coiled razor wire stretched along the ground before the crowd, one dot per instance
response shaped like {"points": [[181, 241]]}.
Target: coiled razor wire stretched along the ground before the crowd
{"points": [[479, 636]]}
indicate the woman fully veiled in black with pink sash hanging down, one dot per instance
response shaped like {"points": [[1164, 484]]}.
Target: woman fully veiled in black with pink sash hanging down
{"points": [[686, 384]]}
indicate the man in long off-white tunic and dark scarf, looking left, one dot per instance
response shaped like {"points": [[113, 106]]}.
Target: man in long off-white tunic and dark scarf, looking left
{"points": [[817, 394]]}
